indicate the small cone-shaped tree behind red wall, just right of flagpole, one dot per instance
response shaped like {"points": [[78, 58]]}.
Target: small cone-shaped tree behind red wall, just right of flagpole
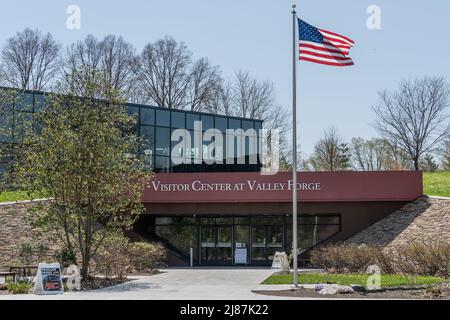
{"points": [[331, 153]]}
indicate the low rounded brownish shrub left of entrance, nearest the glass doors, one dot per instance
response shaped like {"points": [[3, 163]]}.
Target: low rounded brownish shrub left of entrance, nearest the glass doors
{"points": [[146, 256]]}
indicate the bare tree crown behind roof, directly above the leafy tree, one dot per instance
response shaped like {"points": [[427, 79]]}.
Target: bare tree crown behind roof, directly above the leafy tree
{"points": [[111, 62]]}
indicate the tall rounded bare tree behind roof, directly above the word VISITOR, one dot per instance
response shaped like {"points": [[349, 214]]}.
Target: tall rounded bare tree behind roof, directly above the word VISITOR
{"points": [[165, 72]]}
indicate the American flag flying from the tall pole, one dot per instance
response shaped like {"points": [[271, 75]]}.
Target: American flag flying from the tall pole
{"points": [[324, 47]]}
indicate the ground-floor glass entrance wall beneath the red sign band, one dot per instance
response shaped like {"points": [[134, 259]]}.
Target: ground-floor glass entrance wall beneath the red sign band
{"points": [[242, 240]]}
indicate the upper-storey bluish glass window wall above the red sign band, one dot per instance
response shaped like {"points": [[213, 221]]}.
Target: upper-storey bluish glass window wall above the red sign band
{"points": [[156, 126]]}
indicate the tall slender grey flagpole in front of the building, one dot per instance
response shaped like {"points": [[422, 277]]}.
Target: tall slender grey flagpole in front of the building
{"points": [[294, 143]]}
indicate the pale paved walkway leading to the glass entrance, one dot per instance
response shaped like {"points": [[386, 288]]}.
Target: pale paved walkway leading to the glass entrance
{"points": [[177, 284]]}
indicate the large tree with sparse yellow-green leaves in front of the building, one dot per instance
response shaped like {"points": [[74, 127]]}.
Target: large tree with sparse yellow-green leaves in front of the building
{"points": [[84, 157]]}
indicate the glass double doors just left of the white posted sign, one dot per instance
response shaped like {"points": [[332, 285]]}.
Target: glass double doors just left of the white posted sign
{"points": [[216, 245]]}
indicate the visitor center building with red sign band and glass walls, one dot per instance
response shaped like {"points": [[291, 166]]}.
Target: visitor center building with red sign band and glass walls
{"points": [[231, 214]]}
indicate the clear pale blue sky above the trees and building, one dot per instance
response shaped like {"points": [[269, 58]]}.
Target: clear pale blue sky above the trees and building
{"points": [[255, 35]]}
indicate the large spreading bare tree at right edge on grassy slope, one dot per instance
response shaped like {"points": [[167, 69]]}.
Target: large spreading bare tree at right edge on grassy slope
{"points": [[413, 118]]}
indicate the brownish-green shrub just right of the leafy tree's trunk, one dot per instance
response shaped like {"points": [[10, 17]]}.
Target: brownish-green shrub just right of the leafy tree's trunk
{"points": [[111, 259]]}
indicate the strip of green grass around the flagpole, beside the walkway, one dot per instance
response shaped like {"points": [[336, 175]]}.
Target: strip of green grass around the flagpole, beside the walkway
{"points": [[348, 279]]}
